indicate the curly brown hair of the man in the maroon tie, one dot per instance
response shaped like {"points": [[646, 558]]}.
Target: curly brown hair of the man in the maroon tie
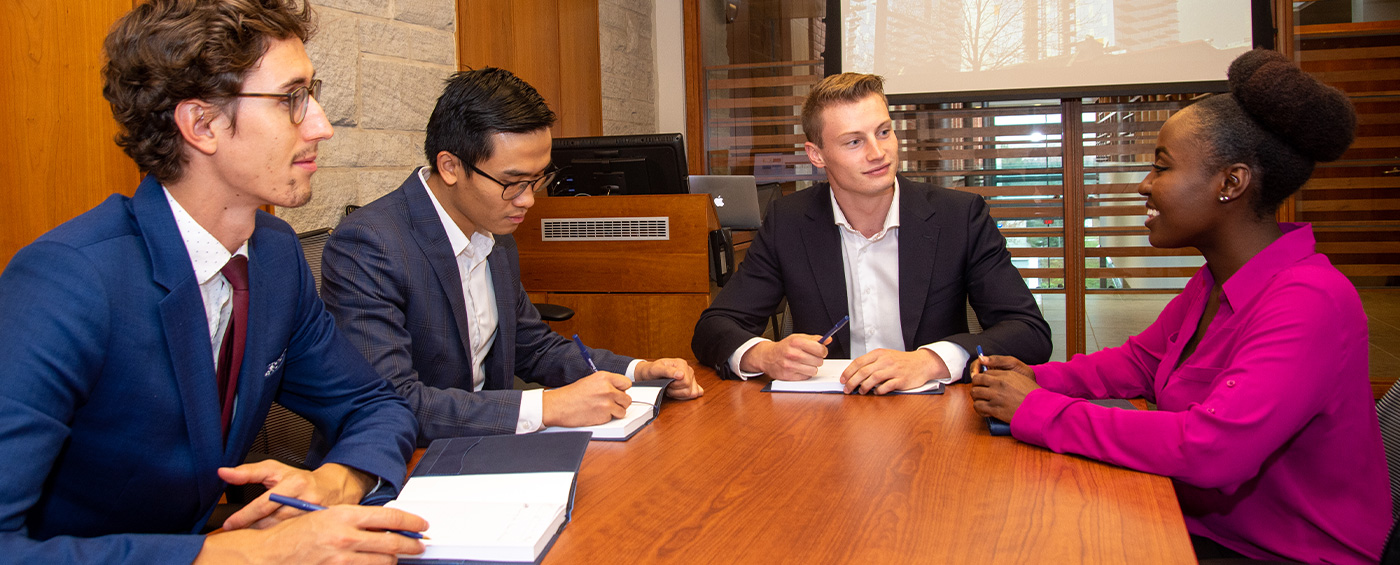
{"points": [[166, 52]]}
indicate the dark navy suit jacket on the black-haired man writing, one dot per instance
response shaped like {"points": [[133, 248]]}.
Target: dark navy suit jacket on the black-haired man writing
{"points": [[391, 280]]}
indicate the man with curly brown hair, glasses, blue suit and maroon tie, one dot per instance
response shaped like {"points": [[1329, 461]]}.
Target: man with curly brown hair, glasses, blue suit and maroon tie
{"points": [[143, 342]]}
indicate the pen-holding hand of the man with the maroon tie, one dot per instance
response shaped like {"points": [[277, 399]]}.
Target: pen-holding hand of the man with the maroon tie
{"points": [[338, 535]]}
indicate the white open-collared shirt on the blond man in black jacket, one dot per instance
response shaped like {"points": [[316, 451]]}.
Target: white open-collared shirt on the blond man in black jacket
{"points": [[871, 272]]}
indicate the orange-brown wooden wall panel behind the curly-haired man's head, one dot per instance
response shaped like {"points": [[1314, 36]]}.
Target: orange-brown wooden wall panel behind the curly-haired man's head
{"points": [[57, 152]]}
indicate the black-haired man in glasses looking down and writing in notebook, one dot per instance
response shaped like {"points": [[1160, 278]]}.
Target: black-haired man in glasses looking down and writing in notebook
{"points": [[426, 280]]}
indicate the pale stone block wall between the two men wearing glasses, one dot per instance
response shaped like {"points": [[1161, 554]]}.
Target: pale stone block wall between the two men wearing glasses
{"points": [[383, 65]]}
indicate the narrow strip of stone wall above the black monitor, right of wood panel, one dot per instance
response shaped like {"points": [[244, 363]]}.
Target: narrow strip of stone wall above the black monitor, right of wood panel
{"points": [[628, 51]]}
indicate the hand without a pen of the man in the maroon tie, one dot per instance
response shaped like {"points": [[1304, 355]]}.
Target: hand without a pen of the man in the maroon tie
{"points": [[328, 486]]}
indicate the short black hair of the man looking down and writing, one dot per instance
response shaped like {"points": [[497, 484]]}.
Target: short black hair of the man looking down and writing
{"points": [[478, 104]]}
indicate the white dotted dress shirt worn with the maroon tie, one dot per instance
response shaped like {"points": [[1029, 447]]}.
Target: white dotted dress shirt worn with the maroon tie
{"points": [[209, 258]]}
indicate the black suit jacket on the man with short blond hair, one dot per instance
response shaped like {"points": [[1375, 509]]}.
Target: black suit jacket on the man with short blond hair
{"points": [[950, 255]]}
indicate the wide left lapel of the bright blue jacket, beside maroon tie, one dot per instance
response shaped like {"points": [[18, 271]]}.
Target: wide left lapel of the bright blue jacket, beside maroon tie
{"points": [[187, 329]]}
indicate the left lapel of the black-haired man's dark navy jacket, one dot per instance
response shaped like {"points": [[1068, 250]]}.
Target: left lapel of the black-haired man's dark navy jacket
{"points": [[432, 238]]}
